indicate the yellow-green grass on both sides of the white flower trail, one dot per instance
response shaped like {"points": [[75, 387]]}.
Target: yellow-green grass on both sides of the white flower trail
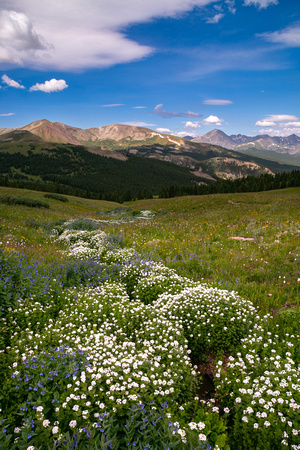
{"points": [[246, 242]]}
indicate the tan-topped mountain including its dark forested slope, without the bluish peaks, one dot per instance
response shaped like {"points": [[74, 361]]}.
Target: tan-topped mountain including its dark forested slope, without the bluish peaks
{"points": [[118, 158]]}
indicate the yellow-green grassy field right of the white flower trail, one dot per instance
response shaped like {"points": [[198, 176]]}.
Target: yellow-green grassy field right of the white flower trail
{"points": [[246, 242]]}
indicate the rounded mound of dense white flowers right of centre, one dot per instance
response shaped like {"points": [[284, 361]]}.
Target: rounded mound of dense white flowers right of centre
{"points": [[210, 317]]}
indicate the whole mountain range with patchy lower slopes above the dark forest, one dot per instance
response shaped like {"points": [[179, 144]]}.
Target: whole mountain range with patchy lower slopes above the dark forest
{"points": [[208, 158]]}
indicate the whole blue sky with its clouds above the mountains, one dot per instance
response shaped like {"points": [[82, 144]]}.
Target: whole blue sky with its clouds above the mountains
{"points": [[177, 66]]}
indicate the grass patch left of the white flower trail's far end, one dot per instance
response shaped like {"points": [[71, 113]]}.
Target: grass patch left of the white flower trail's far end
{"points": [[27, 229]]}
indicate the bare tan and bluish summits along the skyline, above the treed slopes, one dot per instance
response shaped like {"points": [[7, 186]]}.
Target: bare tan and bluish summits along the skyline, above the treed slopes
{"points": [[123, 137]]}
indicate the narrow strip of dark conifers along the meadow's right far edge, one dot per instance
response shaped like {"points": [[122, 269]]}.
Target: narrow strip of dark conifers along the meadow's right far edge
{"points": [[266, 182]]}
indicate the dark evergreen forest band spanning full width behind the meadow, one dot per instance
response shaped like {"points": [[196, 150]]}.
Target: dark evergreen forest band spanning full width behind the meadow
{"points": [[72, 170]]}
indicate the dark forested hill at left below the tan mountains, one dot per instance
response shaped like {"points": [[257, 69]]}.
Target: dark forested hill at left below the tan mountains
{"points": [[72, 170]]}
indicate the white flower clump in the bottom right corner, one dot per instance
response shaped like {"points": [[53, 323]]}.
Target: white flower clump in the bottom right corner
{"points": [[263, 383]]}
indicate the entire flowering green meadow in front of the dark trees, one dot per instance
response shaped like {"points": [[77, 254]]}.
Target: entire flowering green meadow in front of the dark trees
{"points": [[114, 315]]}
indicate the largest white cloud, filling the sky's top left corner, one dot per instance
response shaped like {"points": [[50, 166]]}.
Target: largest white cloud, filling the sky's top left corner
{"points": [[72, 35]]}
